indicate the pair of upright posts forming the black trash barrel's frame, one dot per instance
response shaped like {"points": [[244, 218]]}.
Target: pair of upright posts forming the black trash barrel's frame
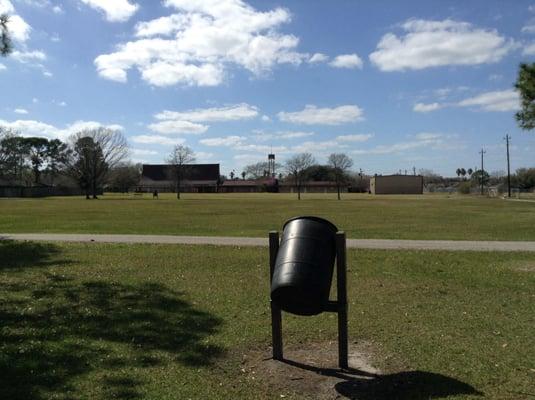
{"points": [[339, 305]]}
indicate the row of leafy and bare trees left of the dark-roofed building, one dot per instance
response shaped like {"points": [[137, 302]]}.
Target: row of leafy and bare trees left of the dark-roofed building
{"points": [[89, 159]]}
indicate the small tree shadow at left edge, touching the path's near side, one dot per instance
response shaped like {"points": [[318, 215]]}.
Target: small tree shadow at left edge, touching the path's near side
{"points": [[19, 255]]}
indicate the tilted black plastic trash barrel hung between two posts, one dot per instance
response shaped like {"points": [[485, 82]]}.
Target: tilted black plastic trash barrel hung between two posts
{"points": [[304, 266]]}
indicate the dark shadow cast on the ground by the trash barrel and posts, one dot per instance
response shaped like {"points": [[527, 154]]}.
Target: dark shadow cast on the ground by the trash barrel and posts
{"points": [[406, 385]]}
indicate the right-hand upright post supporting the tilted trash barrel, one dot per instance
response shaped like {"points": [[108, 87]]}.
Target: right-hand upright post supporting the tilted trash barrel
{"points": [[341, 281]]}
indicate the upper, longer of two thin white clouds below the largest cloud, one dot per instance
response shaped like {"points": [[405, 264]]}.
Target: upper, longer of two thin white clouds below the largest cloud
{"points": [[230, 113]]}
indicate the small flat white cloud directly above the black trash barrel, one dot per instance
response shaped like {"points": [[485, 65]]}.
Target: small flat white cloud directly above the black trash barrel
{"points": [[313, 115]]}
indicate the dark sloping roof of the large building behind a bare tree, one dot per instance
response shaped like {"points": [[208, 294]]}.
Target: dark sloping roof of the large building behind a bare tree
{"points": [[193, 172]]}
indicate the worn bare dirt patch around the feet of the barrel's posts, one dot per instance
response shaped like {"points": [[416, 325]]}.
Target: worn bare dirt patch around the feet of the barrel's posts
{"points": [[310, 370]]}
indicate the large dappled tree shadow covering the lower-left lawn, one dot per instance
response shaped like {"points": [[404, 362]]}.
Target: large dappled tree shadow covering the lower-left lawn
{"points": [[58, 334]]}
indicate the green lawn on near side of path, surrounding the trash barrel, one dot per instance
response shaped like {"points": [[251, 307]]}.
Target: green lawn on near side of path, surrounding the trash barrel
{"points": [[93, 321]]}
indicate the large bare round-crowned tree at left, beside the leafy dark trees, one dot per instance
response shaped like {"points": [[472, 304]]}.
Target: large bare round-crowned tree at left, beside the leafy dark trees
{"points": [[93, 153]]}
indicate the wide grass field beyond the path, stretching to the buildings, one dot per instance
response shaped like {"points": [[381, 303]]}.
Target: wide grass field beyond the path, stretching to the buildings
{"points": [[361, 216]]}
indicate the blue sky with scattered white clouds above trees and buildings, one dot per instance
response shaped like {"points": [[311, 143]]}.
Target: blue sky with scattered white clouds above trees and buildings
{"points": [[394, 85]]}
